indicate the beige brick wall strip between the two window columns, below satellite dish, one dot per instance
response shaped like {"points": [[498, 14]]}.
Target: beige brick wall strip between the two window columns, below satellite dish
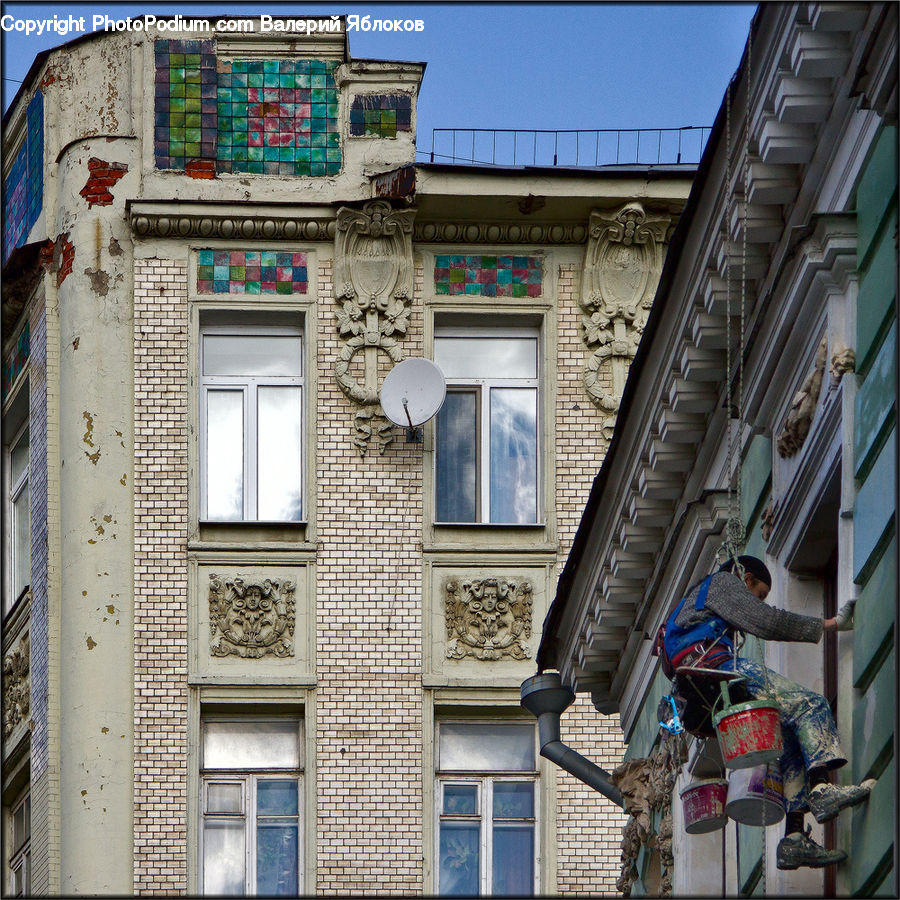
{"points": [[368, 643]]}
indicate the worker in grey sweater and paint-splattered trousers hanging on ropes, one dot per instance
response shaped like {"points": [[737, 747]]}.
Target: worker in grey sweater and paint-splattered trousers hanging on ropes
{"points": [[701, 633]]}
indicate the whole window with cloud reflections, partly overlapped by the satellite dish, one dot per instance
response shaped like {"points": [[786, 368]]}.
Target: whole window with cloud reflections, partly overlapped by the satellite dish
{"points": [[486, 433]]}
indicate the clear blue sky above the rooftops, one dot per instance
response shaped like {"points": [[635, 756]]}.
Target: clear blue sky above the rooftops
{"points": [[508, 65]]}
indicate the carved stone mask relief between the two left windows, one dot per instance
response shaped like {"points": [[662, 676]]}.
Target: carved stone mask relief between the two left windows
{"points": [[251, 616]]}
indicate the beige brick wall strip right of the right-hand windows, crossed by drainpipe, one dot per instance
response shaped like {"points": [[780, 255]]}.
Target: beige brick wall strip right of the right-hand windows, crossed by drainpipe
{"points": [[588, 825]]}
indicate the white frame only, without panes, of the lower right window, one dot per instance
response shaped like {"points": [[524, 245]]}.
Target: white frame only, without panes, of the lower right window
{"points": [[485, 782]]}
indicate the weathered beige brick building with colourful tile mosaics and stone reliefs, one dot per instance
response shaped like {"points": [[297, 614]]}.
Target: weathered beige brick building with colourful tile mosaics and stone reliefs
{"points": [[255, 641]]}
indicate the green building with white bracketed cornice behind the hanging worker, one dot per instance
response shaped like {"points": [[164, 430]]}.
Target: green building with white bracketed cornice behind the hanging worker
{"points": [[780, 284]]}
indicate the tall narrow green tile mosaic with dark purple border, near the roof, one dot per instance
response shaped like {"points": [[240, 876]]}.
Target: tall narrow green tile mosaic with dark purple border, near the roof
{"points": [[185, 110]]}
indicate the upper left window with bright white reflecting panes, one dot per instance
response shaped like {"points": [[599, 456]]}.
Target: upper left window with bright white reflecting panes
{"points": [[252, 439]]}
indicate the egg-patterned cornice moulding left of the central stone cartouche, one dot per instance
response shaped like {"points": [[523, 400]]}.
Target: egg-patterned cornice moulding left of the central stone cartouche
{"points": [[231, 226]]}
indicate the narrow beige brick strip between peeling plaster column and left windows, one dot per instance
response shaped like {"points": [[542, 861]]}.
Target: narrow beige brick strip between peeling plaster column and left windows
{"points": [[160, 577]]}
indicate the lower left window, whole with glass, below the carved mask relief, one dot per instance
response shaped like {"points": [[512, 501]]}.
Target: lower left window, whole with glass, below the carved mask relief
{"points": [[251, 836]]}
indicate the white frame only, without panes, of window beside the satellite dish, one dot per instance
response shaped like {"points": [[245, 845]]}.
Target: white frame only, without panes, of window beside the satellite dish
{"points": [[482, 388]]}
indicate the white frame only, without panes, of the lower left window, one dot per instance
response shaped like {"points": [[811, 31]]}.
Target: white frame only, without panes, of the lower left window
{"points": [[249, 779]]}
